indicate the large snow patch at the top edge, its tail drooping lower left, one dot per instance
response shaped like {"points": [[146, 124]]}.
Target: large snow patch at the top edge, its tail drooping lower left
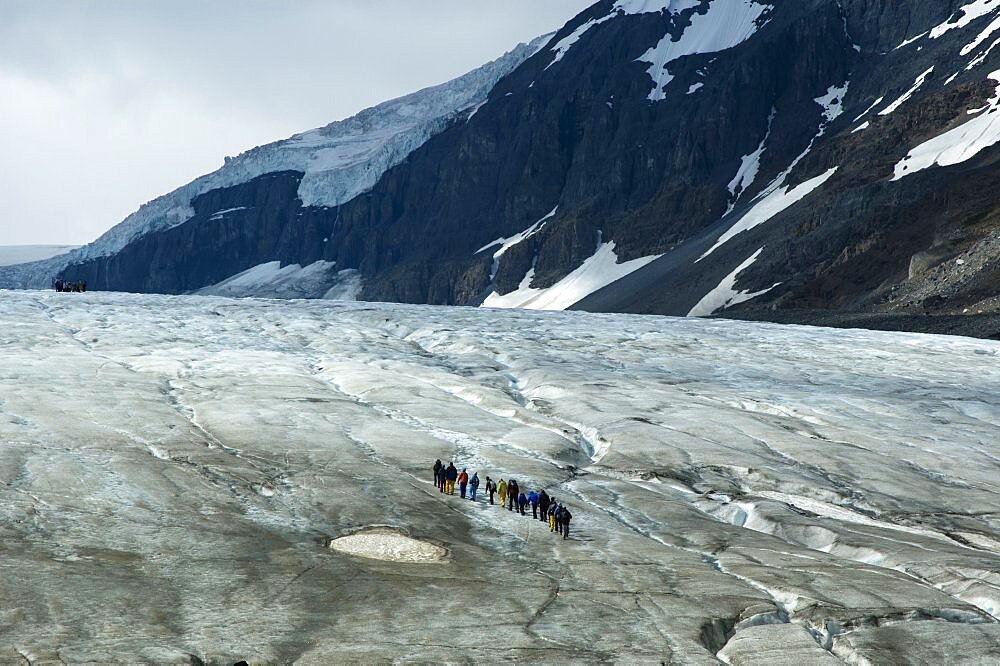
{"points": [[726, 24]]}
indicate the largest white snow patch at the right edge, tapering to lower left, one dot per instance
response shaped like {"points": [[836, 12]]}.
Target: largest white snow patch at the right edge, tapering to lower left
{"points": [[959, 144]]}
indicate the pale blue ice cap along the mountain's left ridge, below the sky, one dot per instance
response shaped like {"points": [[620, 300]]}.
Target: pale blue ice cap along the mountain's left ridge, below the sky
{"points": [[340, 160]]}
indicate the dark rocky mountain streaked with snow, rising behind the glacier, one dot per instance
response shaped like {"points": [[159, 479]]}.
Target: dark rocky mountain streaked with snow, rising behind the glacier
{"points": [[684, 157]]}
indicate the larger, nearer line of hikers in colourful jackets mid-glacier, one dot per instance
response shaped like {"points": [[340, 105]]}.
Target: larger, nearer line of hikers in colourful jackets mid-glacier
{"points": [[543, 507]]}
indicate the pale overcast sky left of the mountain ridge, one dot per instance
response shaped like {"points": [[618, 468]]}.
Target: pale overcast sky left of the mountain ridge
{"points": [[106, 104]]}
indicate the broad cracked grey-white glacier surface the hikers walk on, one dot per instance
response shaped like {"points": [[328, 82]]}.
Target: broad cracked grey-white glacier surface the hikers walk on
{"points": [[176, 470]]}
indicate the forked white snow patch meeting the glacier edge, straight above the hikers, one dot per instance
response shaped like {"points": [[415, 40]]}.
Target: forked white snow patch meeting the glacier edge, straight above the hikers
{"points": [[600, 270]]}
